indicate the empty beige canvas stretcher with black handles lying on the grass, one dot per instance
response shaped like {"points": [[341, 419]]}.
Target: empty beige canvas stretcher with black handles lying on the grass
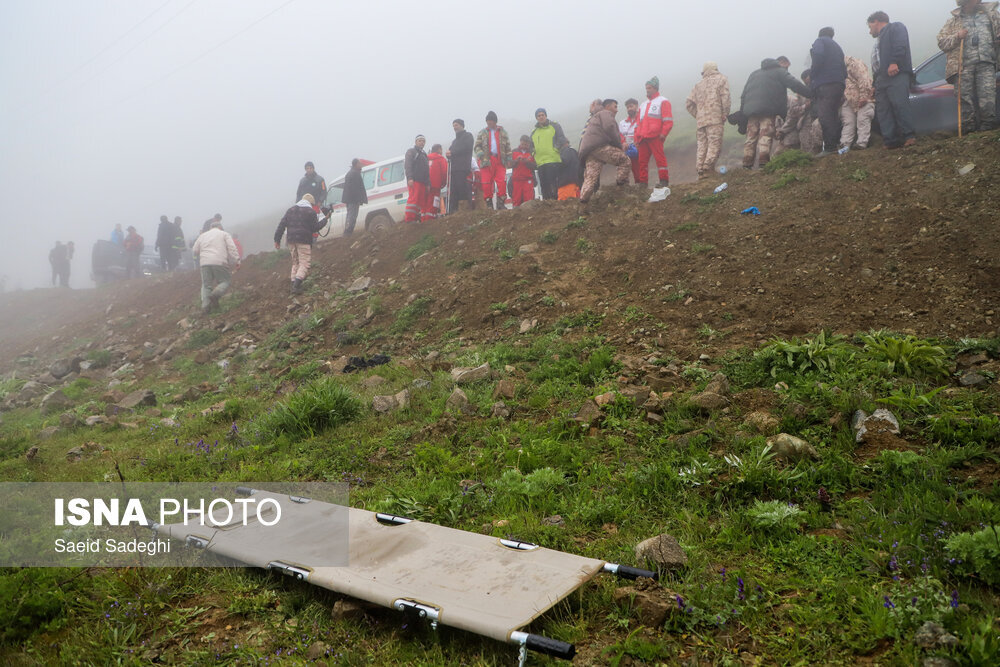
{"points": [[489, 586]]}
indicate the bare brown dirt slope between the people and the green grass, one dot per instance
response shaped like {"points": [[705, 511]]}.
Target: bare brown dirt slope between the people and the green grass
{"points": [[875, 238]]}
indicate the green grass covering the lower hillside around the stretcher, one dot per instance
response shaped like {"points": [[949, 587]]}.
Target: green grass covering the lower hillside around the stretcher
{"points": [[826, 561]]}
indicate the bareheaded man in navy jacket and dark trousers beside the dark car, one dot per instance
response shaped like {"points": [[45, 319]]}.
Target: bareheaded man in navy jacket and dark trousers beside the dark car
{"points": [[892, 68]]}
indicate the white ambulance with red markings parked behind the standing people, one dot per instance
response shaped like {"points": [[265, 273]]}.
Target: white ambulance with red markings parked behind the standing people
{"points": [[385, 183]]}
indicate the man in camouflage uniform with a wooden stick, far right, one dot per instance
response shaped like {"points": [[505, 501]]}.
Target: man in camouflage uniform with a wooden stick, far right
{"points": [[976, 25]]}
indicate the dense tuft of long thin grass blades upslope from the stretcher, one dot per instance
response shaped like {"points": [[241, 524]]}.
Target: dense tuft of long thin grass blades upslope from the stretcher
{"points": [[318, 406]]}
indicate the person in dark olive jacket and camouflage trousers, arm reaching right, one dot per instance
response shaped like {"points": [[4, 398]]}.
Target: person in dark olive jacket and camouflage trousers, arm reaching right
{"points": [[764, 97]]}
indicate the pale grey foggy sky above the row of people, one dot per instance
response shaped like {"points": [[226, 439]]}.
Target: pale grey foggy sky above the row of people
{"points": [[123, 111]]}
